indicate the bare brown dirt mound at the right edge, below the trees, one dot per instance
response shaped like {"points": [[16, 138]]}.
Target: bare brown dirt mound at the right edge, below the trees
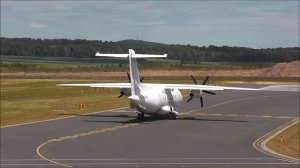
{"points": [[283, 69]]}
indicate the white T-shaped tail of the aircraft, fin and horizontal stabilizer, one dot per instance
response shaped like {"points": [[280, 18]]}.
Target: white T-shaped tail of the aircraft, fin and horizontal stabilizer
{"points": [[134, 73]]}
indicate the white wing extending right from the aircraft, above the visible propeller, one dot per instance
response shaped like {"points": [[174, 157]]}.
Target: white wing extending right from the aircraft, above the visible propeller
{"points": [[204, 87]]}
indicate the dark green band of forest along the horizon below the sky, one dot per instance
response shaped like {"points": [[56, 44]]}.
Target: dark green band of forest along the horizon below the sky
{"points": [[187, 54]]}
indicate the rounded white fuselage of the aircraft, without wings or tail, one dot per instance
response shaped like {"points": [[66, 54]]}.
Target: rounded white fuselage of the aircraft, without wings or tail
{"points": [[156, 100]]}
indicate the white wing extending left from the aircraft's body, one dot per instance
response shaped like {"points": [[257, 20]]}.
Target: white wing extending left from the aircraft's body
{"points": [[101, 85]]}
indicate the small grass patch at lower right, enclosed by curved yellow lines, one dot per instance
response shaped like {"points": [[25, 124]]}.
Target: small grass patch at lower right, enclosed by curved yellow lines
{"points": [[290, 144]]}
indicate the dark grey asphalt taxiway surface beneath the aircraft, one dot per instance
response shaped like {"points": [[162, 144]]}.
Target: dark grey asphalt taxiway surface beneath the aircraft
{"points": [[219, 135]]}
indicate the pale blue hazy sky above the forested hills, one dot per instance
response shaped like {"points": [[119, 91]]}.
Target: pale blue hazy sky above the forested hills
{"points": [[244, 23]]}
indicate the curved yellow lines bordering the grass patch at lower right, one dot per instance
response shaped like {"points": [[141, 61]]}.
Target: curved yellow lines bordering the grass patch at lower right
{"points": [[260, 143]]}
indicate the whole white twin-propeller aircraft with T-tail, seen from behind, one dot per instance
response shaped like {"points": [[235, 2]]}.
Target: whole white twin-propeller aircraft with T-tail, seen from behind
{"points": [[150, 98]]}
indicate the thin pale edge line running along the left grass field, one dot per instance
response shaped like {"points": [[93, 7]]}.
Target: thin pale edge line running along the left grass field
{"points": [[54, 119]]}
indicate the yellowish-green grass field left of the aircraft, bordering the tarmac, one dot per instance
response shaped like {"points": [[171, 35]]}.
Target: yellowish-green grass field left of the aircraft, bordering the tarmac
{"points": [[25, 100]]}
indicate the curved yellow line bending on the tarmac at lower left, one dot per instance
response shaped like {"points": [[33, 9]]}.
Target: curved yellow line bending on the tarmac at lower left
{"points": [[109, 129]]}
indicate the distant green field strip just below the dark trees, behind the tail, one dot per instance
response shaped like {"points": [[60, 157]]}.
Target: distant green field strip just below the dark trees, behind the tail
{"points": [[46, 64]]}
